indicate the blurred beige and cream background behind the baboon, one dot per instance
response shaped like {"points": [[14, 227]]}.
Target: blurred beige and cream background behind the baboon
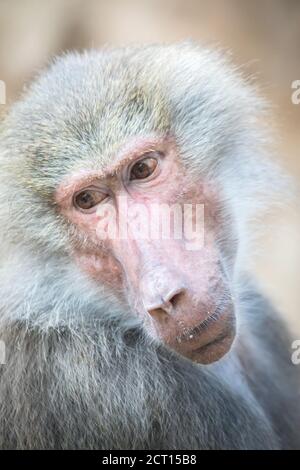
{"points": [[264, 37]]}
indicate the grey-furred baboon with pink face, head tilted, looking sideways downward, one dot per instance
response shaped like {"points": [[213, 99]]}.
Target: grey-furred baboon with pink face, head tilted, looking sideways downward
{"points": [[138, 342]]}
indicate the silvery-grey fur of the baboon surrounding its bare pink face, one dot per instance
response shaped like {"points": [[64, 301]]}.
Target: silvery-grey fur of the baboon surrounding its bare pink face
{"points": [[81, 372]]}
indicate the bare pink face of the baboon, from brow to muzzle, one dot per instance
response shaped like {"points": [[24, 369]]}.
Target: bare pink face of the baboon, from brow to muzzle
{"points": [[181, 295]]}
